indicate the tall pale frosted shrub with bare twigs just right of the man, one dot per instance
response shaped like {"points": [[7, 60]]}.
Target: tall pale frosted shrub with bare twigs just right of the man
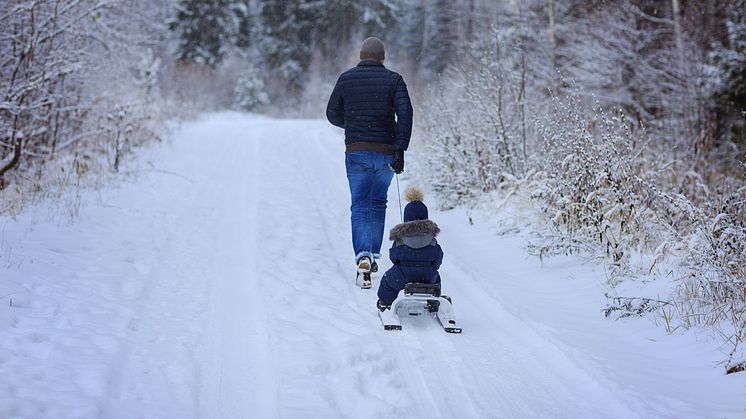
{"points": [[476, 127]]}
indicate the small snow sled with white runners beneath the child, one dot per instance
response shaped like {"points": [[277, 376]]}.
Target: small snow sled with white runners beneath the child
{"points": [[420, 300]]}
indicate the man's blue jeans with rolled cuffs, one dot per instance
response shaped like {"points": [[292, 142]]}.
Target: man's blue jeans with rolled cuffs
{"points": [[369, 176]]}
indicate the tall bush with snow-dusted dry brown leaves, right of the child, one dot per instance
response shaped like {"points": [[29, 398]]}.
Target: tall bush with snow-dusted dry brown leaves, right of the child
{"points": [[587, 185]]}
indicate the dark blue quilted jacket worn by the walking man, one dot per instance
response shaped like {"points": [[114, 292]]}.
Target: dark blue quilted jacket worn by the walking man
{"points": [[364, 102]]}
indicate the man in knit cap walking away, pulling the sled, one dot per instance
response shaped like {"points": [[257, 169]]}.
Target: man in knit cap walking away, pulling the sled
{"points": [[372, 104]]}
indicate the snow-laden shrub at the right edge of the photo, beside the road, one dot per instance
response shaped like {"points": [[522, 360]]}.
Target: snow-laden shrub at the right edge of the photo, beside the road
{"points": [[708, 242]]}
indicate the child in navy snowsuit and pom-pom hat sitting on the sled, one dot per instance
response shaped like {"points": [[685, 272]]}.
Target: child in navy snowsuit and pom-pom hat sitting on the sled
{"points": [[416, 254]]}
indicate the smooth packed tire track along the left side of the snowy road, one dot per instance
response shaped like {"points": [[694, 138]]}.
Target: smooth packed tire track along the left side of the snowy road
{"points": [[239, 359]]}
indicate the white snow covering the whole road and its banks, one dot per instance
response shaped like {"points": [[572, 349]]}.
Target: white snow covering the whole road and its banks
{"points": [[219, 283]]}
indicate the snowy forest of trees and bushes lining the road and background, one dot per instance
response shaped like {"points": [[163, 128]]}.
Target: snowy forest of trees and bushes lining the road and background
{"points": [[617, 127]]}
